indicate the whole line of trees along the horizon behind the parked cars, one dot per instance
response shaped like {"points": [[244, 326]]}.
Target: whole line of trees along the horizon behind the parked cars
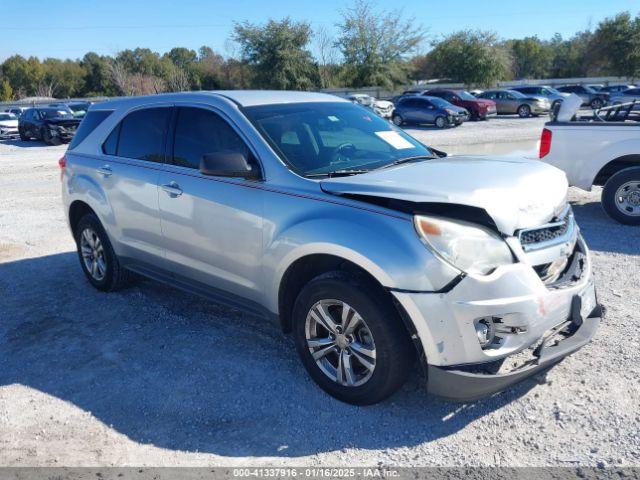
{"points": [[371, 47]]}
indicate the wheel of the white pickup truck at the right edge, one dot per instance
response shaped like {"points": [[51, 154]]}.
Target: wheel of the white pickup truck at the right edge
{"points": [[621, 196]]}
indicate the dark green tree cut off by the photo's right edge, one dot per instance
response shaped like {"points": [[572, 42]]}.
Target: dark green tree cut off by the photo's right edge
{"points": [[616, 45]]}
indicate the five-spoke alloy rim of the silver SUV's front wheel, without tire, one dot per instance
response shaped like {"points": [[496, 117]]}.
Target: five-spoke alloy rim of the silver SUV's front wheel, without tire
{"points": [[340, 343]]}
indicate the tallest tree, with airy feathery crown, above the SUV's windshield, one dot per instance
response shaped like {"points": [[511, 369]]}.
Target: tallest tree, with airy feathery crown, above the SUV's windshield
{"points": [[375, 46]]}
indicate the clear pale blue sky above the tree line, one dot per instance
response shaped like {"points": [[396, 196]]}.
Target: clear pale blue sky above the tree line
{"points": [[70, 28]]}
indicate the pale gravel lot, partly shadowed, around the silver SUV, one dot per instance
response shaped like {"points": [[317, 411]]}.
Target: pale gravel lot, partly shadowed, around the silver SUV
{"points": [[153, 376]]}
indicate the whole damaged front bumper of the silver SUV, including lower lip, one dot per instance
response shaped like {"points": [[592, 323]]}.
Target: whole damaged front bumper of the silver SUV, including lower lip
{"points": [[535, 324]]}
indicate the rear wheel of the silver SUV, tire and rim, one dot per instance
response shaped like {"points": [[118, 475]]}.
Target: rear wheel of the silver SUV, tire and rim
{"points": [[99, 262]]}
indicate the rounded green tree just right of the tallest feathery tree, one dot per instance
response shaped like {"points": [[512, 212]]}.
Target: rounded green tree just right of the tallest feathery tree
{"points": [[472, 57]]}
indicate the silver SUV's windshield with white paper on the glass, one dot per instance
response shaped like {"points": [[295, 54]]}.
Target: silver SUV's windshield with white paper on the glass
{"points": [[323, 138]]}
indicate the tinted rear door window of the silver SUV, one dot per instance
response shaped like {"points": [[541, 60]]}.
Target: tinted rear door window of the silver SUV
{"points": [[143, 133]]}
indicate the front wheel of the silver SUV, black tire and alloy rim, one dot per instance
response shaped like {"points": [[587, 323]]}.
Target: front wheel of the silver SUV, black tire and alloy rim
{"points": [[350, 339]]}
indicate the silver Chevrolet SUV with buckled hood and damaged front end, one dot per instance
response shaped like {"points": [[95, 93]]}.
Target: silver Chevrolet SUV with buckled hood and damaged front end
{"points": [[368, 246]]}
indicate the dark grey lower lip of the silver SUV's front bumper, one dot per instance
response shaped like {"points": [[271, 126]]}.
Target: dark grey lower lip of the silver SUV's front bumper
{"points": [[460, 384]]}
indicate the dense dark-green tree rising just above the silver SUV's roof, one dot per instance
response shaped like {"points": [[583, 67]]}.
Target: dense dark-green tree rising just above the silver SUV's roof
{"points": [[277, 54]]}
